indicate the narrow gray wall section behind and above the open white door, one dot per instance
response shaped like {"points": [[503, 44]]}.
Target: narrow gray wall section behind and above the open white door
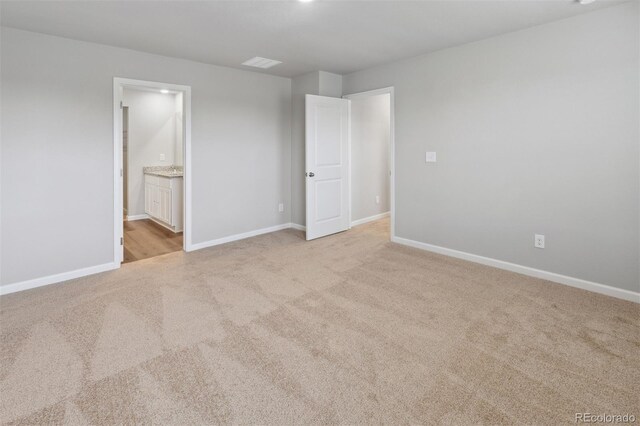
{"points": [[315, 83]]}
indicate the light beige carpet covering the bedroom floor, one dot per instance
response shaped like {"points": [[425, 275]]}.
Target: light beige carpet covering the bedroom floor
{"points": [[345, 329]]}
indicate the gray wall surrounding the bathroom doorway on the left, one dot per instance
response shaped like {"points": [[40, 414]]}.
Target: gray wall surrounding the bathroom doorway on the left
{"points": [[57, 149]]}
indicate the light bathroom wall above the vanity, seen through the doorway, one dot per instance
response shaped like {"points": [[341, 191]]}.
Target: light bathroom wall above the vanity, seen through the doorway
{"points": [[152, 131]]}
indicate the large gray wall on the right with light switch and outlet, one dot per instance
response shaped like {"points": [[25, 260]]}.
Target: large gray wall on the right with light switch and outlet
{"points": [[536, 131]]}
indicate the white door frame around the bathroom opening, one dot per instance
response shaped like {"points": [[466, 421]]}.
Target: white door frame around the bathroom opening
{"points": [[118, 85]]}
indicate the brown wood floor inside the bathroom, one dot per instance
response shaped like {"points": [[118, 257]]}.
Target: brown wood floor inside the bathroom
{"points": [[144, 239]]}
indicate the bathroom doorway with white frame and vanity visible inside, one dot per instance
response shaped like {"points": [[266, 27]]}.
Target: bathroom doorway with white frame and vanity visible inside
{"points": [[152, 138]]}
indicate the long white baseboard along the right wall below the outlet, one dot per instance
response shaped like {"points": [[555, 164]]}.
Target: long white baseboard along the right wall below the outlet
{"points": [[525, 270]]}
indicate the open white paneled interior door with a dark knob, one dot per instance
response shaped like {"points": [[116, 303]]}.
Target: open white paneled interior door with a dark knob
{"points": [[327, 165]]}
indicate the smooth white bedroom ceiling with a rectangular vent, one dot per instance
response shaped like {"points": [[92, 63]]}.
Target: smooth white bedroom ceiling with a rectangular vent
{"points": [[335, 36]]}
